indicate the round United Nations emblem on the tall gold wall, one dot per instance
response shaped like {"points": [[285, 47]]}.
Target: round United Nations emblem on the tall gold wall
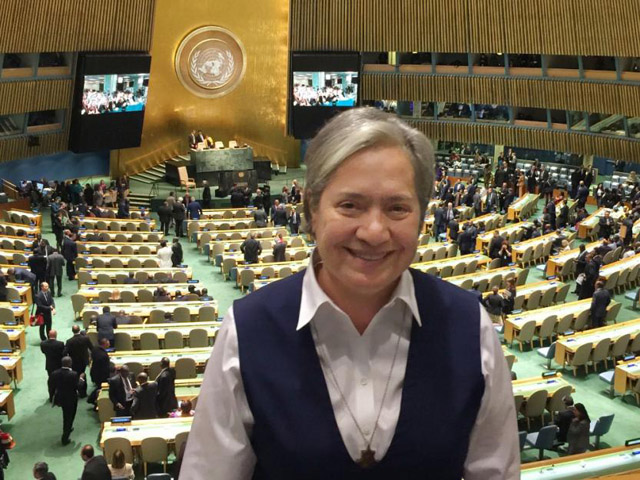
{"points": [[210, 62]]}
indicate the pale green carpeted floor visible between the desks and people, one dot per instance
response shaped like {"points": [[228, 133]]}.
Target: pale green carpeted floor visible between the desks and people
{"points": [[37, 427]]}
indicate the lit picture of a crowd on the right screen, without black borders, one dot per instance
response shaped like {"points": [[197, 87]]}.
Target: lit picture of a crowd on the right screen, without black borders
{"points": [[325, 89]]}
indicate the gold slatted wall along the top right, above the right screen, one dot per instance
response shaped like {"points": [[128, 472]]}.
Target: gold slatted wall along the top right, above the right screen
{"points": [[567, 27]]}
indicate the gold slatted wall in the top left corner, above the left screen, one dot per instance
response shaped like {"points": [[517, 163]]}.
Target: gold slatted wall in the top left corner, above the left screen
{"points": [[75, 25]]}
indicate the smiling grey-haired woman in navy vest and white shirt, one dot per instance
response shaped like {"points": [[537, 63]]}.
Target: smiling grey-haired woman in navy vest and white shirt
{"points": [[327, 373]]}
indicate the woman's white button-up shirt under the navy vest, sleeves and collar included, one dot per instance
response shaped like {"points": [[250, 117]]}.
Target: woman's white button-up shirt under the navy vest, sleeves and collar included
{"points": [[219, 444]]}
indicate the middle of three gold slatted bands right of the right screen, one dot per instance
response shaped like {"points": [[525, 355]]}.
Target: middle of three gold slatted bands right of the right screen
{"points": [[520, 92]]}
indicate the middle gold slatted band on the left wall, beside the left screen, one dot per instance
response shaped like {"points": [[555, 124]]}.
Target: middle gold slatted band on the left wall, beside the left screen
{"points": [[35, 95]]}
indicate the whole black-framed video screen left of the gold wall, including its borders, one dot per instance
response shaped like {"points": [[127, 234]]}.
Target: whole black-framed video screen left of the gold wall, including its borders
{"points": [[110, 100]]}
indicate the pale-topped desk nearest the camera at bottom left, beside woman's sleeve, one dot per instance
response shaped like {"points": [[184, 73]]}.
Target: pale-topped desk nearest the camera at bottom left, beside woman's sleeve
{"points": [[138, 430]]}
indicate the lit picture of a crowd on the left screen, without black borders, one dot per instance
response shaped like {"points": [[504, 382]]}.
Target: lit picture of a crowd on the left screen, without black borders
{"points": [[120, 93]]}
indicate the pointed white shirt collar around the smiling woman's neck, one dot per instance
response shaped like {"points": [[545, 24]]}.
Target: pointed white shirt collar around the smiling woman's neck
{"points": [[313, 297]]}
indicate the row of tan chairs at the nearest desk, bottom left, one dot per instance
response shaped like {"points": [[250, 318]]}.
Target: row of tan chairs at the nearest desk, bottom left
{"points": [[151, 450]]}
